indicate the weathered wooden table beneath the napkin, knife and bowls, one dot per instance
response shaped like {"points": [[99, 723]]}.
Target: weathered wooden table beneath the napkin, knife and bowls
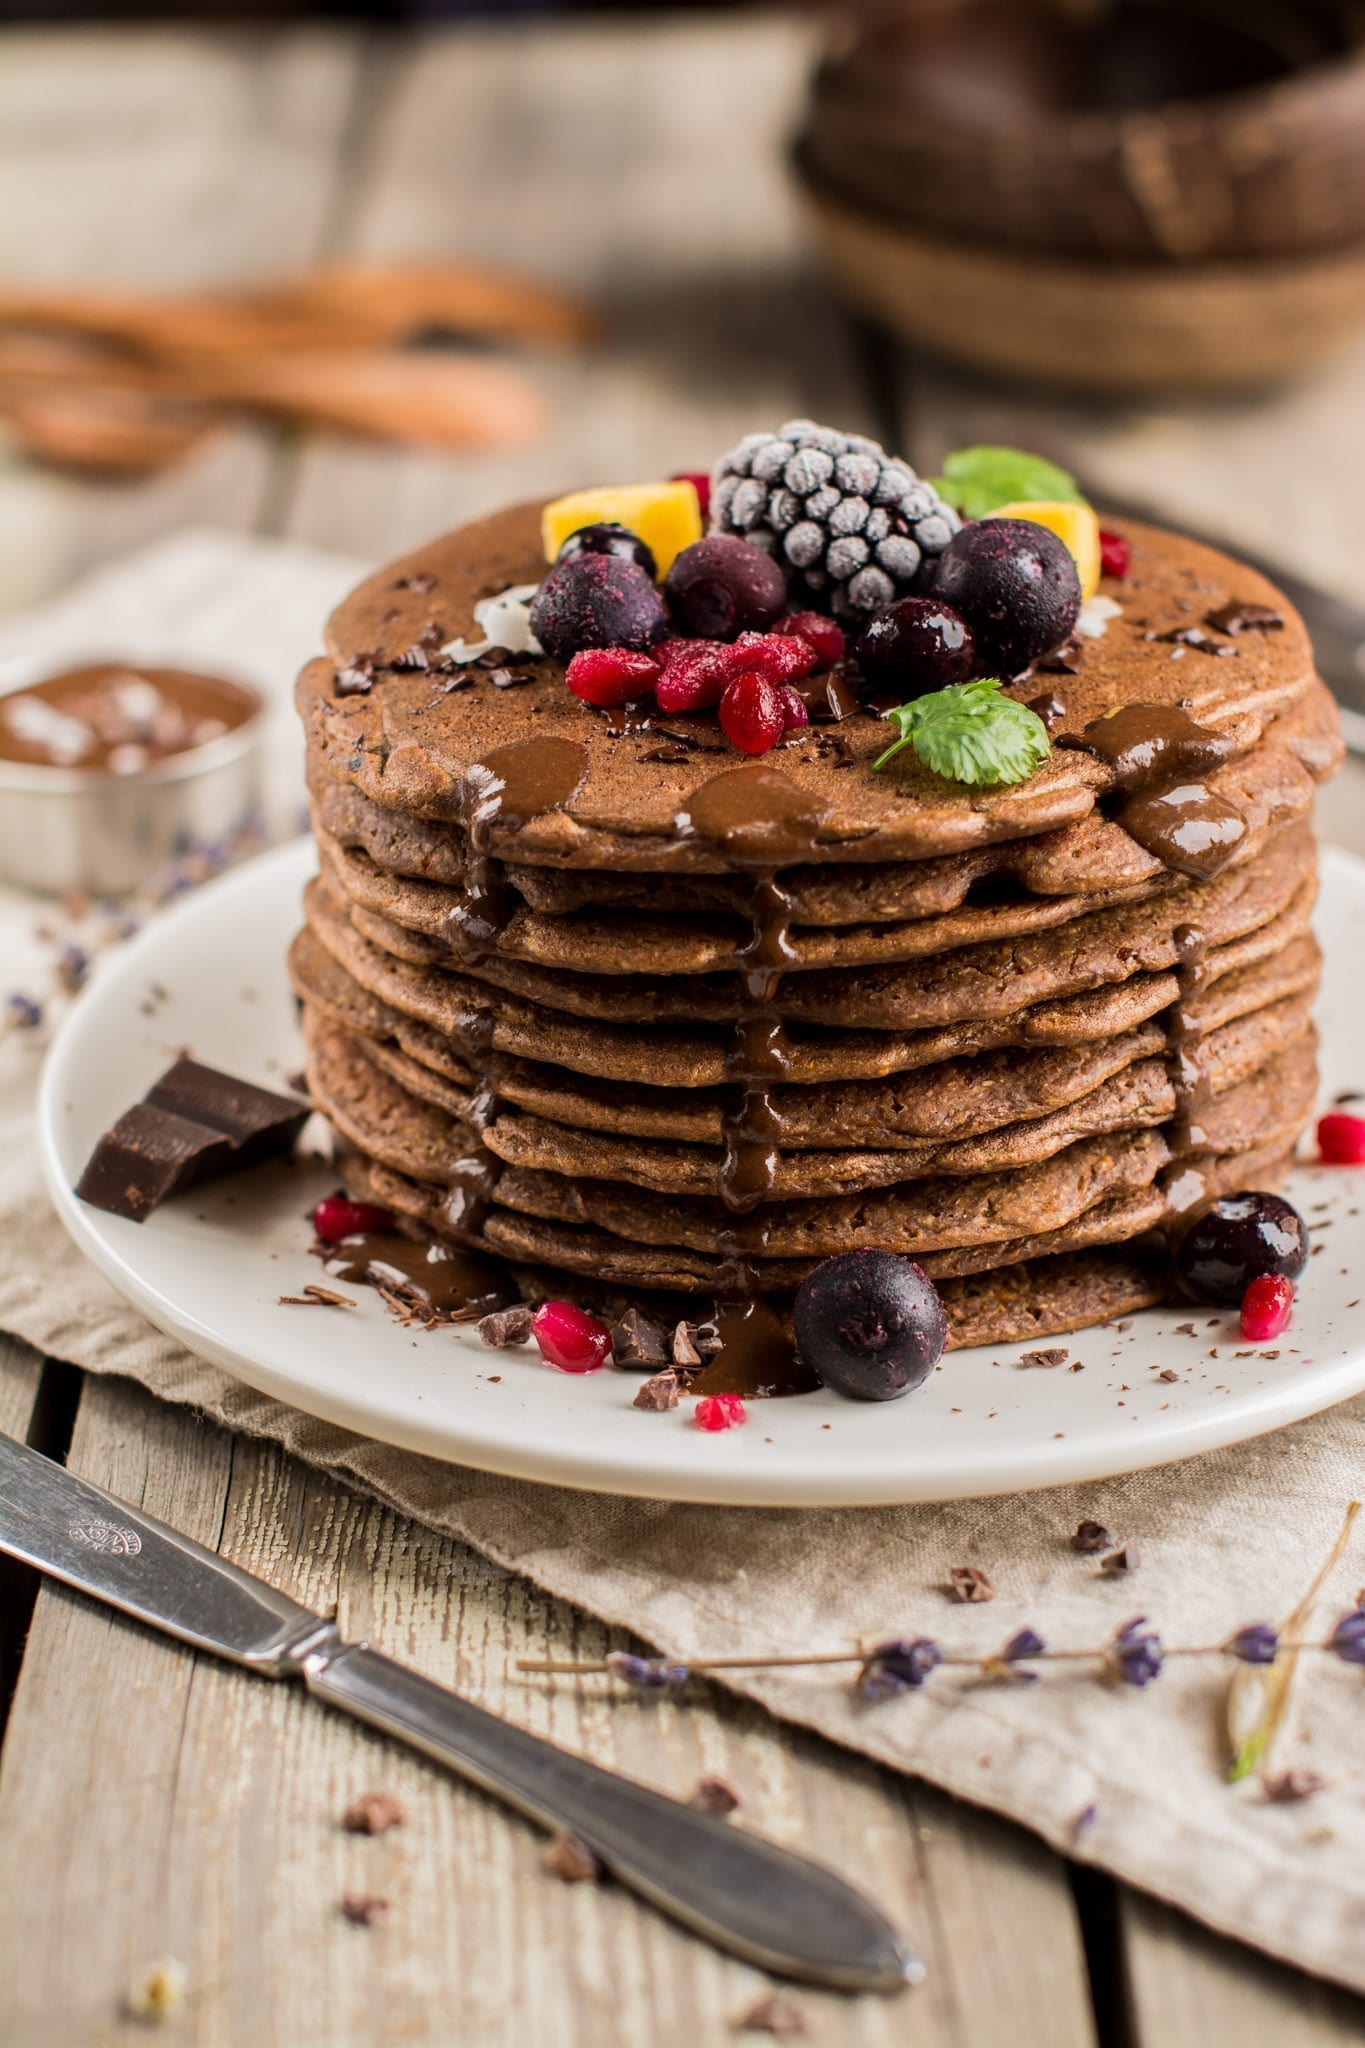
{"points": [[157, 1805]]}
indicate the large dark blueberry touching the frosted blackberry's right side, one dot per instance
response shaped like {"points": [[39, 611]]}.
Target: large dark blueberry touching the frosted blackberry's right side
{"points": [[1016, 587]]}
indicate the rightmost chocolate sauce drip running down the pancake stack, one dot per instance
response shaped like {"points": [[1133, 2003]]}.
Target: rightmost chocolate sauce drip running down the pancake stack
{"points": [[1161, 761]]}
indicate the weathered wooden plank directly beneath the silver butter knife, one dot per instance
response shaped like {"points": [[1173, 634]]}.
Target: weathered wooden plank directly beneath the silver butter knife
{"points": [[195, 1811]]}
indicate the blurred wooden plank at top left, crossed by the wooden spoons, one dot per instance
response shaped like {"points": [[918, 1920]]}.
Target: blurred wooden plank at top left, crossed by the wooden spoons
{"points": [[159, 159]]}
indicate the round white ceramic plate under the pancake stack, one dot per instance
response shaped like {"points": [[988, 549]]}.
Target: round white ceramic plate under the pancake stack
{"points": [[210, 1269]]}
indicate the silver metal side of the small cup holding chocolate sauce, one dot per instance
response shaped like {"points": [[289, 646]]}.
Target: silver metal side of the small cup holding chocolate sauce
{"points": [[105, 835]]}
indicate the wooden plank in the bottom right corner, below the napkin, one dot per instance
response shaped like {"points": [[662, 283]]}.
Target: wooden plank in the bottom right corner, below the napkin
{"points": [[1188, 1986]]}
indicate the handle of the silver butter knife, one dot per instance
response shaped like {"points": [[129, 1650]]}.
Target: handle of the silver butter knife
{"points": [[748, 1895]]}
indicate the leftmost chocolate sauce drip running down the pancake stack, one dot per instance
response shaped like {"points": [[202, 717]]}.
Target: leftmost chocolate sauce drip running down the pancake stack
{"points": [[511, 787]]}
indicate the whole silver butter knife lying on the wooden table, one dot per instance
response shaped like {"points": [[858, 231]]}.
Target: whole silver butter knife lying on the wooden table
{"points": [[744, 1893]]}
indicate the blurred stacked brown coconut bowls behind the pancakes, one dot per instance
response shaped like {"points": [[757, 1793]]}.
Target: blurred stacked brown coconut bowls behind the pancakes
{"points": [[1137, 196]]}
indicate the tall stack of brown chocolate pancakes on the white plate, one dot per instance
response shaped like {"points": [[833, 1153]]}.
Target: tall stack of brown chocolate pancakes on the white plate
{"points": [[599, 996]]}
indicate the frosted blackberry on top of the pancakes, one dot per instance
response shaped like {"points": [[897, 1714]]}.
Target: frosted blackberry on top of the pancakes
{"points": [[854, 527]]}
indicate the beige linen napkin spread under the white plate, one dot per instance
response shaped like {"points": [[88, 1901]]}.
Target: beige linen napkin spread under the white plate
{"points": [[1133, 1781]]}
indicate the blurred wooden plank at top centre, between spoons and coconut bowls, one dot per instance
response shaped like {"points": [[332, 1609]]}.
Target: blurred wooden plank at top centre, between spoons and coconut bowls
{"points": [[642, 167]]}
